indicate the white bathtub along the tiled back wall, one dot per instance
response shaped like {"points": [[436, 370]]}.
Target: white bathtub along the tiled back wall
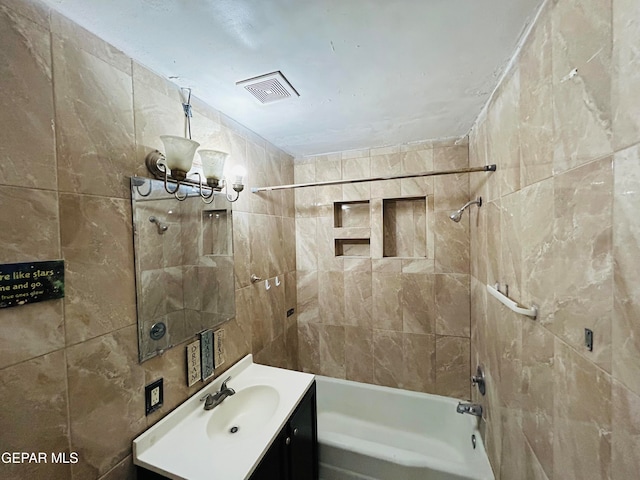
{"points": [[368, 432]]}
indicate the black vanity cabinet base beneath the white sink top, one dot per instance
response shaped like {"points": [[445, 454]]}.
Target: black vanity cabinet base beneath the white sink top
{"points": [[294, 453]]}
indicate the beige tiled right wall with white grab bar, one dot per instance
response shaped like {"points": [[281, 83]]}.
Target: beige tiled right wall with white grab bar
{"points": [[561, 228]]}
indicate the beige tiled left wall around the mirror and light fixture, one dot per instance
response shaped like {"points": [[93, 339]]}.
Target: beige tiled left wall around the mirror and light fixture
{"points": [[77, 118]]}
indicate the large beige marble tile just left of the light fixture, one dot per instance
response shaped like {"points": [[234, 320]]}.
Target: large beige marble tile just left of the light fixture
{"points": [[94, 122]]}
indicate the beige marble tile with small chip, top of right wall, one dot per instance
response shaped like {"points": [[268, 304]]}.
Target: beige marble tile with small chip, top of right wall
{"points": [[581, 39]]}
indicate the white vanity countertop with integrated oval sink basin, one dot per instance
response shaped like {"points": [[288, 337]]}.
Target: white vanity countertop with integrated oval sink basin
{"points": [[194, 443]]}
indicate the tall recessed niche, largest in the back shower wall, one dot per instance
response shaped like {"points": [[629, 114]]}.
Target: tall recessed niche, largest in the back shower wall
{"points": [[404, 226]]}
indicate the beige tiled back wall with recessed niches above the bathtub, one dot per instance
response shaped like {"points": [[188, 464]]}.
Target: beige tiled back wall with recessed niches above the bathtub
{"points": [[398, 318]]}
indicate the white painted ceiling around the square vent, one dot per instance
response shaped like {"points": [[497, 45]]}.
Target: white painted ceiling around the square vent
{"points": [[369, 72]]}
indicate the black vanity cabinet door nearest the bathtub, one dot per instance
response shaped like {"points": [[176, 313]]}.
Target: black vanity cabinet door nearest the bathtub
{"points": [[303, 445]]}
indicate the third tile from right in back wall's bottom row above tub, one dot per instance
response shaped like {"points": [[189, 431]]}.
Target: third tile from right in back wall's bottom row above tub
{"points": [[387, 358]]}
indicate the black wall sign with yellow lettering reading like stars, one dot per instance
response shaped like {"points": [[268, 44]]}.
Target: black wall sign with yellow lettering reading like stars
{"points": [[31, 282]]}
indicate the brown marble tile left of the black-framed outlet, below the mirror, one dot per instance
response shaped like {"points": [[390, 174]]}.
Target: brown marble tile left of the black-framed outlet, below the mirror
{"points": [[105, 384]]}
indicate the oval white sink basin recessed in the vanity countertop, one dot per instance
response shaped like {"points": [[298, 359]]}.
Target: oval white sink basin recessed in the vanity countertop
{"points": [[244, 413]]}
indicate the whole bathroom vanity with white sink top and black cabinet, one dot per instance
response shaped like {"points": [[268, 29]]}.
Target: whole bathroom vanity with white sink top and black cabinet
{"points": [[265, 430]]}
